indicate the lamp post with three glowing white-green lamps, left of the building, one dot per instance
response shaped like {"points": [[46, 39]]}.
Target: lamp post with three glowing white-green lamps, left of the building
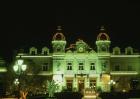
{"points": [[19, 67]]}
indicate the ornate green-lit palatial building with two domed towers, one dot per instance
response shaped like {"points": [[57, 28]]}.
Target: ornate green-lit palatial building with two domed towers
{"points": [[79, 66]]}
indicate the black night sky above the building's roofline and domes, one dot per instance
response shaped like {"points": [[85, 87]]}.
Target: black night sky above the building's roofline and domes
{"points": [[33, 24]]}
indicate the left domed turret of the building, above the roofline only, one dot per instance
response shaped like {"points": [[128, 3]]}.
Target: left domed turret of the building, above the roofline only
{"points": [[58, 42]]}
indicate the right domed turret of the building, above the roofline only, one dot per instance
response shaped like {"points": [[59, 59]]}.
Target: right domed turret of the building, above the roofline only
{"points": [[103, 41]]}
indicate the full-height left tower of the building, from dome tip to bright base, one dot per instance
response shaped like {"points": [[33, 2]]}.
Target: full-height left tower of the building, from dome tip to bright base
{"points": [[58, 45]]}
